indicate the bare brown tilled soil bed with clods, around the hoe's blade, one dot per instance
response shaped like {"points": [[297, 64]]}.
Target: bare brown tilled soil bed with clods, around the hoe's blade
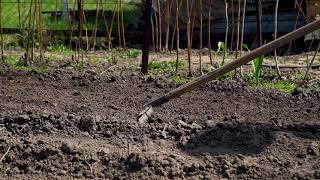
{"points": [[64, 125]]}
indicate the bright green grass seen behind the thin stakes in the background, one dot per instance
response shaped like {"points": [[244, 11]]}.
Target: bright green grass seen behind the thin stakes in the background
{"points": [[10, 13]]}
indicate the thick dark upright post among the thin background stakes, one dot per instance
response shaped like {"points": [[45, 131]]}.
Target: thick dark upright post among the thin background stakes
{"points": [[147, 23]]}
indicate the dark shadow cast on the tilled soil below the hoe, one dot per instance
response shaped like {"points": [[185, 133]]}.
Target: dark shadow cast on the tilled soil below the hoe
{"points": [[229, 138]]}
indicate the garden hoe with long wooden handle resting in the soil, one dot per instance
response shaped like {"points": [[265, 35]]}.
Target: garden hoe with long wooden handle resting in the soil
{"points": [[145, 115]]}
